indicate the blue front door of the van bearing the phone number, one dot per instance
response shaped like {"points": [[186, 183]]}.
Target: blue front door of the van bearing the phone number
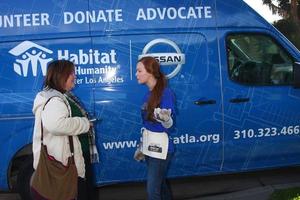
{"points": [[262, 131]]}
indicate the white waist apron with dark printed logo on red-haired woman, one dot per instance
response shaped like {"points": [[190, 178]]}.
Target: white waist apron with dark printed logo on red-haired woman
{"points": [[155, 144]]}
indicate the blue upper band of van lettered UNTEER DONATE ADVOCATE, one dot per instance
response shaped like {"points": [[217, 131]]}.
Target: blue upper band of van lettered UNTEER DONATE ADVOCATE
{"points": [[40, 19]]}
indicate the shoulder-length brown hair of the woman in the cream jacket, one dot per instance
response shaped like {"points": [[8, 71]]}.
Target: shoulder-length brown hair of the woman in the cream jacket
{"points": [[58, 72]]}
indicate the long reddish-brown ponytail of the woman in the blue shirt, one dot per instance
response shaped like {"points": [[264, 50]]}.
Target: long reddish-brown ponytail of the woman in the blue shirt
{"points": [[152, 67]]}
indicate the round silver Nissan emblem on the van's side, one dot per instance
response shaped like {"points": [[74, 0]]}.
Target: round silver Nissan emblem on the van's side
{"points": [[176, 59]]}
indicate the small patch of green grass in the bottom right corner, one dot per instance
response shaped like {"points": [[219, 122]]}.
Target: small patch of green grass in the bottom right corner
{"points": [[287, 194]]}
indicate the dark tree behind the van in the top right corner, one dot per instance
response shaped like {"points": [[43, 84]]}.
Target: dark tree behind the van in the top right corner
{"points": [[289, 10]]}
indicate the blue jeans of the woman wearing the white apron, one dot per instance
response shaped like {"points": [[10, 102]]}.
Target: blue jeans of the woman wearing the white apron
{"points": [[157, 188]]}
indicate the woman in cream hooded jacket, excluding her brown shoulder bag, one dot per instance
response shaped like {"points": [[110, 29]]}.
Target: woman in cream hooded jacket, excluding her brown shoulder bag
{"points": [[61, 116]]}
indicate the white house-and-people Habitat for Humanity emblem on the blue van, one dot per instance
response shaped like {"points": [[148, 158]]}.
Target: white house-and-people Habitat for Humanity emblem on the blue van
{"points": [[31, 55]]}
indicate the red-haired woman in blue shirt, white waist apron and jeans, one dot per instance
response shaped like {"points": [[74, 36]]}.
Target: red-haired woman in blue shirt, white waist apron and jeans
{"points": [[158, 111]]}
